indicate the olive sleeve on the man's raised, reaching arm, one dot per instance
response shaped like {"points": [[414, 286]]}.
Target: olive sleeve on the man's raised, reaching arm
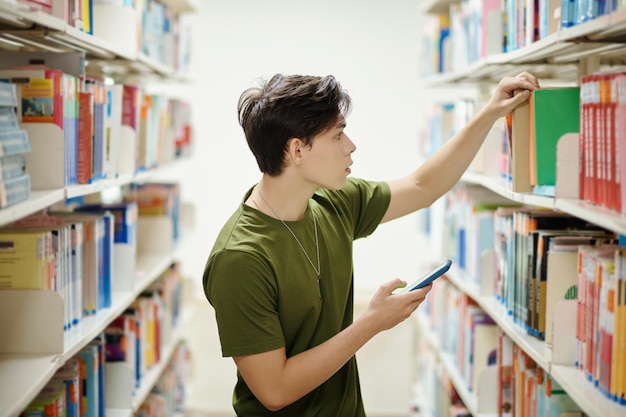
{"points": [[365, 202]]}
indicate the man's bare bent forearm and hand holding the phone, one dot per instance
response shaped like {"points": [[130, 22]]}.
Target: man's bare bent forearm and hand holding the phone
{"points": [[278, 381]]}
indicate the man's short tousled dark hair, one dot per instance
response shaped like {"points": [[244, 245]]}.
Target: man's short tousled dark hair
{"points": [[285, 107]]}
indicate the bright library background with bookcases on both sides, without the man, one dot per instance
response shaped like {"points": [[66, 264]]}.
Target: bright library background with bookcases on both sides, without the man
{"points": [[121, 156]]}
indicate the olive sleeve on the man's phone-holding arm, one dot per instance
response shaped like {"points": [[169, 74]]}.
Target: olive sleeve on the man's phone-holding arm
{"points": [[239, 287]]}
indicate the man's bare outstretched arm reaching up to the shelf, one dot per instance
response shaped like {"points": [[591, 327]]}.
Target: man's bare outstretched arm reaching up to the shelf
{"points": [[439, 173]]}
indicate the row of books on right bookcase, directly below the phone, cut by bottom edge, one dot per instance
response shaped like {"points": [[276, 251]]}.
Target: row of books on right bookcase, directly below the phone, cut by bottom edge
{"points": [[476, 345]]}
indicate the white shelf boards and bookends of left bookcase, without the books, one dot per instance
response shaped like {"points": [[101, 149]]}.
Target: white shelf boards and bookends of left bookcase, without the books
{"points": [[29, 359]]}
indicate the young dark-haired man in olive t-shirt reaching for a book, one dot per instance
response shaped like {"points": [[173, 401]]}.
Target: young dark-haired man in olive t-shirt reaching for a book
{"points": [[280, 274]]}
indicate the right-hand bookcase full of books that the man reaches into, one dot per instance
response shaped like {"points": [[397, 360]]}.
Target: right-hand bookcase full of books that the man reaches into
{"points": [[530, 320]]}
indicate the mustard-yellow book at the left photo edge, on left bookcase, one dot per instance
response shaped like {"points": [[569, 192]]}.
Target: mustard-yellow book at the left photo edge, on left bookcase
{"points": [[25, 259]]}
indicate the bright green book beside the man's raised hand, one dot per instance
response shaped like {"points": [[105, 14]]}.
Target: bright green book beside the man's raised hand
{"points": [[556, 111]]}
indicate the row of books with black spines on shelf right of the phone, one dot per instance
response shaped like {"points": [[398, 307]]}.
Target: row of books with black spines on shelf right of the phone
{"points": [[540, 258]]}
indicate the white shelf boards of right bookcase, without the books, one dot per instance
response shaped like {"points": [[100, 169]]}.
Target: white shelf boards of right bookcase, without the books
{"points": [[560, 58]]}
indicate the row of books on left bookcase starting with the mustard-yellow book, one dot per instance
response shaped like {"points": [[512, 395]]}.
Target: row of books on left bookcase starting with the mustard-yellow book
{"points": [[77, 253]]}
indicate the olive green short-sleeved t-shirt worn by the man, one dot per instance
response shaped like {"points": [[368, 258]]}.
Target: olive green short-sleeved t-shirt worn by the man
{"points": [[266, 294]]}
